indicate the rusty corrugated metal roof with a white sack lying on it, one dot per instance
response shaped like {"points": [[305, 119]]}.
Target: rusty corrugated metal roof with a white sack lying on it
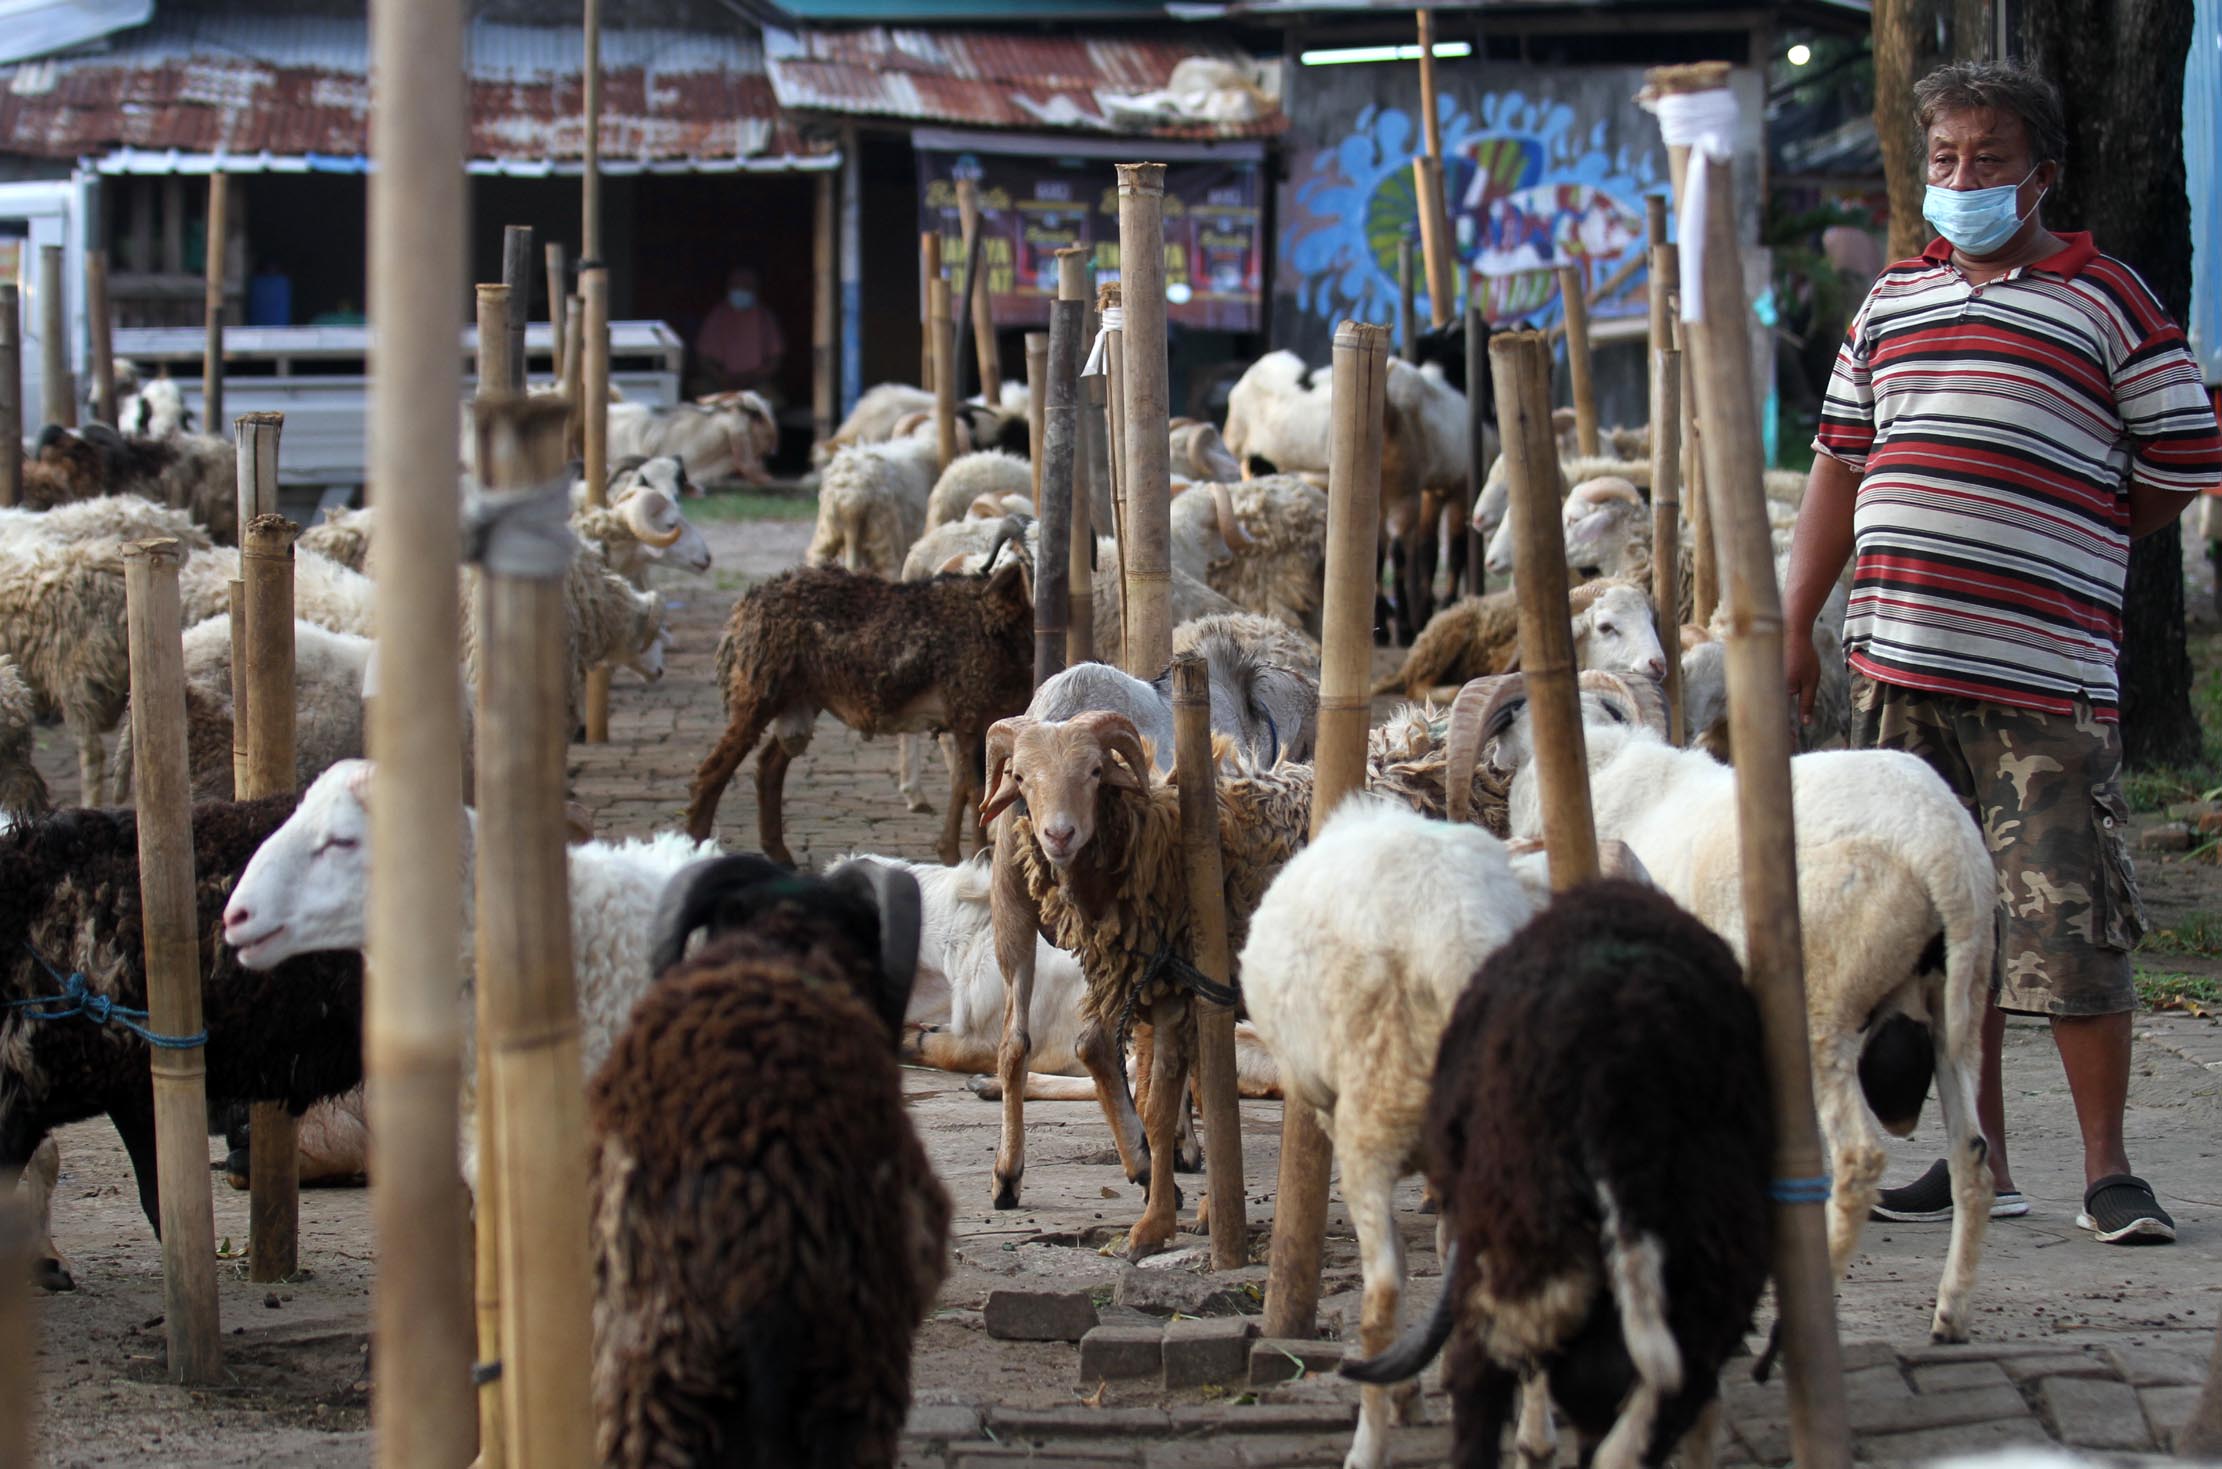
{"points": [[990, 79]]}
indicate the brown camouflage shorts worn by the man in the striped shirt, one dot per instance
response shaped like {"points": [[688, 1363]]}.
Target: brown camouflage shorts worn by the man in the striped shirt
{"points": [[2048, 792]]}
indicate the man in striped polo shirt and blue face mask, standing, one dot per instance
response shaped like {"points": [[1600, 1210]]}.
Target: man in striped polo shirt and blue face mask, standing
{"points": [[2005, 417]]}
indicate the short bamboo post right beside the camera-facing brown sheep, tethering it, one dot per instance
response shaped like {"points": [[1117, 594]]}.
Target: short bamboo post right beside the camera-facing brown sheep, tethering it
{"points": [[1208, 908]]}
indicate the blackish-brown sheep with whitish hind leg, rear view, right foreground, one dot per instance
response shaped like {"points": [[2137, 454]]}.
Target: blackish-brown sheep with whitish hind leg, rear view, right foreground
{"points": [[1601, 1141]]}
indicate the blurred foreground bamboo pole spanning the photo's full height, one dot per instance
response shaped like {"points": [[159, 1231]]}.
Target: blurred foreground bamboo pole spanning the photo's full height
{"points": [[423, 1410]]}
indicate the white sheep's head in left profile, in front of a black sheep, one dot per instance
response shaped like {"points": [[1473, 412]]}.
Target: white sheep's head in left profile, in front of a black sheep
{"points": [[303, 892]]}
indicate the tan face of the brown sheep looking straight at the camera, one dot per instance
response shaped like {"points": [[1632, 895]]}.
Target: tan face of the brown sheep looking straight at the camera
{"points": [[1059, 770]]}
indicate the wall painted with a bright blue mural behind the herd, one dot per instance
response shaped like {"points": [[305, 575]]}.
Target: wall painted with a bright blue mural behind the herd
{"points": [[1541, 170]]}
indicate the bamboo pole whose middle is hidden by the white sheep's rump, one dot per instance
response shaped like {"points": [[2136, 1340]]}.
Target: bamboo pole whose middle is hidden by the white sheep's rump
{"points": [[1354, 486]]}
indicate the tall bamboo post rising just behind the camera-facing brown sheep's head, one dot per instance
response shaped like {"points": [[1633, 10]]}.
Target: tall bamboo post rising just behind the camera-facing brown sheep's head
{"points": [[1148, 463]]}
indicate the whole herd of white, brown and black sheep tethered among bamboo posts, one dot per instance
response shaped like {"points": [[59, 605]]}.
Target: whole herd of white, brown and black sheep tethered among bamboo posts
{"points": [[1594, 1130]]}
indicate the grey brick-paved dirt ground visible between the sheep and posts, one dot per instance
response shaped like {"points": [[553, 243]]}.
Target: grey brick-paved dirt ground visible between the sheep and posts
{"points": [[297, 1357]]}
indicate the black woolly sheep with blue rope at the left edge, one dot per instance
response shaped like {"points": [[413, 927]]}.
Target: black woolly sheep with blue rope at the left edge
{"points": [[70, 906]]}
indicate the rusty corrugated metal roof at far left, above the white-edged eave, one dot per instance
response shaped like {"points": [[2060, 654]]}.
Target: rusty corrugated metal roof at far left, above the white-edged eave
{"points": [[299, 86]]}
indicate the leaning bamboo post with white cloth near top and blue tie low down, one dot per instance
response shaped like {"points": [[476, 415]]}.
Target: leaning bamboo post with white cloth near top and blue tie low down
{"points": [[1761, 737]]}
